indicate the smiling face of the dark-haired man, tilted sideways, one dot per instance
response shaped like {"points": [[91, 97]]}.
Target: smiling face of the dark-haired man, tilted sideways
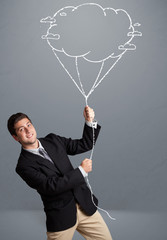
{"points": [[26, 134]]}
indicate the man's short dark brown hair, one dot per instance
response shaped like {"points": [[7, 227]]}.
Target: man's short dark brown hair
{"points": [[13, 120]]}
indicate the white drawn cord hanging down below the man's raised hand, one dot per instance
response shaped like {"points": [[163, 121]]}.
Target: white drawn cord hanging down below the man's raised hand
{"points": [[87, 180]]}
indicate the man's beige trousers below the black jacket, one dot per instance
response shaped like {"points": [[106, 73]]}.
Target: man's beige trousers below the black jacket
{"points": [[90, 227]]}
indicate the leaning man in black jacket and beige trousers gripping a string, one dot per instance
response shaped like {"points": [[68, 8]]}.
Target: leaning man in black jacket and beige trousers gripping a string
{"points": [[44, 165]]}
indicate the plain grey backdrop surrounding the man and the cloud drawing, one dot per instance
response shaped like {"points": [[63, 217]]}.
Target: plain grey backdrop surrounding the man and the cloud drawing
{"points": [[130, 158]]}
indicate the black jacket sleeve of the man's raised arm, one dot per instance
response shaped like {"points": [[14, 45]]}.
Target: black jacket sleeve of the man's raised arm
{"points": [[77, 146]]}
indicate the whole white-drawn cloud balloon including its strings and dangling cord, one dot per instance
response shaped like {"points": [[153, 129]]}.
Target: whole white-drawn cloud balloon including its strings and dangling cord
{"points": [[93, 34]]}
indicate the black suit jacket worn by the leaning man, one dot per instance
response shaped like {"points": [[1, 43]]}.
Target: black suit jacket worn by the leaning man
{"points": [[59, 185]]}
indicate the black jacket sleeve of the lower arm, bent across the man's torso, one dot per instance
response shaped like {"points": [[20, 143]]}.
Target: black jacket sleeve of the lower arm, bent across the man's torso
{"points": [[52, 185]]}
